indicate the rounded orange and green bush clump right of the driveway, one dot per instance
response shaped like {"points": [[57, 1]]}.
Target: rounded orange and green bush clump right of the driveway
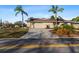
{"points": [[64, 29]]}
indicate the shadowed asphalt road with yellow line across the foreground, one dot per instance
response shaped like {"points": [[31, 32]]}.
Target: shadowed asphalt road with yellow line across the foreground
{"points": [[31, 45]]}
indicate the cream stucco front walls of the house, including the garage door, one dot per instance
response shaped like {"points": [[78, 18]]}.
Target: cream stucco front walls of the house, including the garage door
{"points": [[44, 25]]}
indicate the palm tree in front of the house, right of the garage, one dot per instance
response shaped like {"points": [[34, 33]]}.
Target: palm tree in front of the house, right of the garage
{"points": [[55, 9]]}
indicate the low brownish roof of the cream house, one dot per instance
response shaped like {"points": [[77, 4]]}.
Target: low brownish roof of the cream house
{"points": [[45, 20]]}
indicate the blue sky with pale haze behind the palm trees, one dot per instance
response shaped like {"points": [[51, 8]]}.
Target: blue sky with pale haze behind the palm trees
{"points": [[7, 12]]}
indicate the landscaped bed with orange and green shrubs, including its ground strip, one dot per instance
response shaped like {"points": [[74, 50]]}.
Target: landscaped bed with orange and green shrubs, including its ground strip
{"points": [[65, 31]]}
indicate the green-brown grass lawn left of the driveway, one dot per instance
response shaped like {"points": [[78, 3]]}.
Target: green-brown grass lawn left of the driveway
{"points": [[12, 32]]}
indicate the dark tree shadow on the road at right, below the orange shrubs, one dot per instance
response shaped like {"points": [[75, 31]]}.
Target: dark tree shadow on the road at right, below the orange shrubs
{"points": [[69, 41]]}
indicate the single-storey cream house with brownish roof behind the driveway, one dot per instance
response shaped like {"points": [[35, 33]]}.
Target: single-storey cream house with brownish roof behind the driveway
{"points": [[47, 23]]}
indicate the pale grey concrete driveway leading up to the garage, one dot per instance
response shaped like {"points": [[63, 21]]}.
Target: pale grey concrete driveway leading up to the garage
{"points": [[39, 33]]}
